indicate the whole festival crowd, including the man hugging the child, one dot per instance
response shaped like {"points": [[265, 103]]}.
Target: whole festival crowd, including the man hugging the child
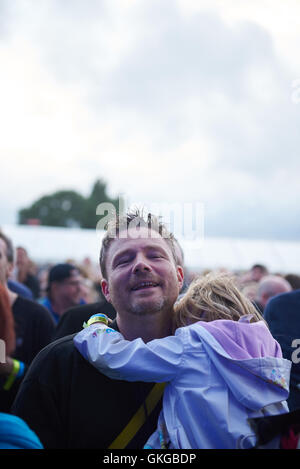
{"points": [[73, 334]]}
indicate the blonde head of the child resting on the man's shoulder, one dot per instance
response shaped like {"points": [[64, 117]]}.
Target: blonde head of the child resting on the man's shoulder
{"points": [[213, 296]]}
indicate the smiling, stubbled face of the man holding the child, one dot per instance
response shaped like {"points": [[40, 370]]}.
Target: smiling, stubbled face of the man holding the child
{"points": [[142, 277]]}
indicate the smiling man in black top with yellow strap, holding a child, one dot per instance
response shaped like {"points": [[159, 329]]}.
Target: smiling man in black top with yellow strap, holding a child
{"points": [[142, 280]]}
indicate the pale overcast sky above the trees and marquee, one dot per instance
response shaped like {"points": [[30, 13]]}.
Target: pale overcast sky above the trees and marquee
{"points": [[168, 101]]}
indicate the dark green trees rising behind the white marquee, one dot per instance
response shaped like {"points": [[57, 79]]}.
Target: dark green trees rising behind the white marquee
{"points": [[68, 208]]}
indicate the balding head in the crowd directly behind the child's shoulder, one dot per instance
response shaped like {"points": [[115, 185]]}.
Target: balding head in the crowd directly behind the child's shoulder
{"points": [[269, 286]]}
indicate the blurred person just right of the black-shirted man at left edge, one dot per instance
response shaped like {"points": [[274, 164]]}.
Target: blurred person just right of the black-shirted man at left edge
{"points": [[25, 272]]}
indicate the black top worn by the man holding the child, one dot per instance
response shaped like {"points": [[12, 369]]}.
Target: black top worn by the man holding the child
{"points": [[69, 404]]}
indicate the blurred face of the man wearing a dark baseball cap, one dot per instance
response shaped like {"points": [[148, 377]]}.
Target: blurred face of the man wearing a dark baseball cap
{"points": [[68, 290]]}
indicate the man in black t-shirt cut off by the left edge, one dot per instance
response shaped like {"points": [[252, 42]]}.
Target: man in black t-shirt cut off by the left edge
{"points": [[28, 322]]}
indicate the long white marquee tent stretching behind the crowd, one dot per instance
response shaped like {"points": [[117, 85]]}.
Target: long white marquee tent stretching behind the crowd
{"points": [[49, 244]]}
